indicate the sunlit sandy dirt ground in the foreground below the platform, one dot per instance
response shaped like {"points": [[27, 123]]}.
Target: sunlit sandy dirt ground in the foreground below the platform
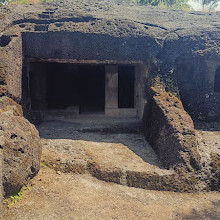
{"points": [[72, 196]]}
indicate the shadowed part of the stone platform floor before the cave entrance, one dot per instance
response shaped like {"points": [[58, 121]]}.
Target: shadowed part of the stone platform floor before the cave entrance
{"points": [[98, 129]]}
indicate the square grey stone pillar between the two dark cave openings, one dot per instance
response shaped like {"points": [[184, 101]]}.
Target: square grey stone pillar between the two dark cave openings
{"points": [[111, 87]]}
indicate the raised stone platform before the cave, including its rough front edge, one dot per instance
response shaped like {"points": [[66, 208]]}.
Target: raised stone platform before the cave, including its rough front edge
{"points": [[116, 149]]}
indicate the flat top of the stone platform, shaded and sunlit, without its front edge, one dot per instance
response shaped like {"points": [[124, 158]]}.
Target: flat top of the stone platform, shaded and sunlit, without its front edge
{"points": [[100, 134]]}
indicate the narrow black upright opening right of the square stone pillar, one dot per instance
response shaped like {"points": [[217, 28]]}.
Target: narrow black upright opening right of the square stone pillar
{"points": [[126, 78]]}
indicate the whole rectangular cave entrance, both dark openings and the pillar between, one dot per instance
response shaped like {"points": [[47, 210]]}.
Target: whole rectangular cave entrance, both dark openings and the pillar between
{"points": [[59, 88]]}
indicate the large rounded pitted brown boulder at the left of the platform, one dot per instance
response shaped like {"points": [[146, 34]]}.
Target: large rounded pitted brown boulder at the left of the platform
{"points": [[21, 151]]}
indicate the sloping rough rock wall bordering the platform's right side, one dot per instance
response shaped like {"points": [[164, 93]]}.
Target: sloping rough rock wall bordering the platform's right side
{"points": [[170, 131]]}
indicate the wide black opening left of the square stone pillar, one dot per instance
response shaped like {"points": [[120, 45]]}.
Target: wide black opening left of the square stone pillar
{"points": [[69, 85]]}
